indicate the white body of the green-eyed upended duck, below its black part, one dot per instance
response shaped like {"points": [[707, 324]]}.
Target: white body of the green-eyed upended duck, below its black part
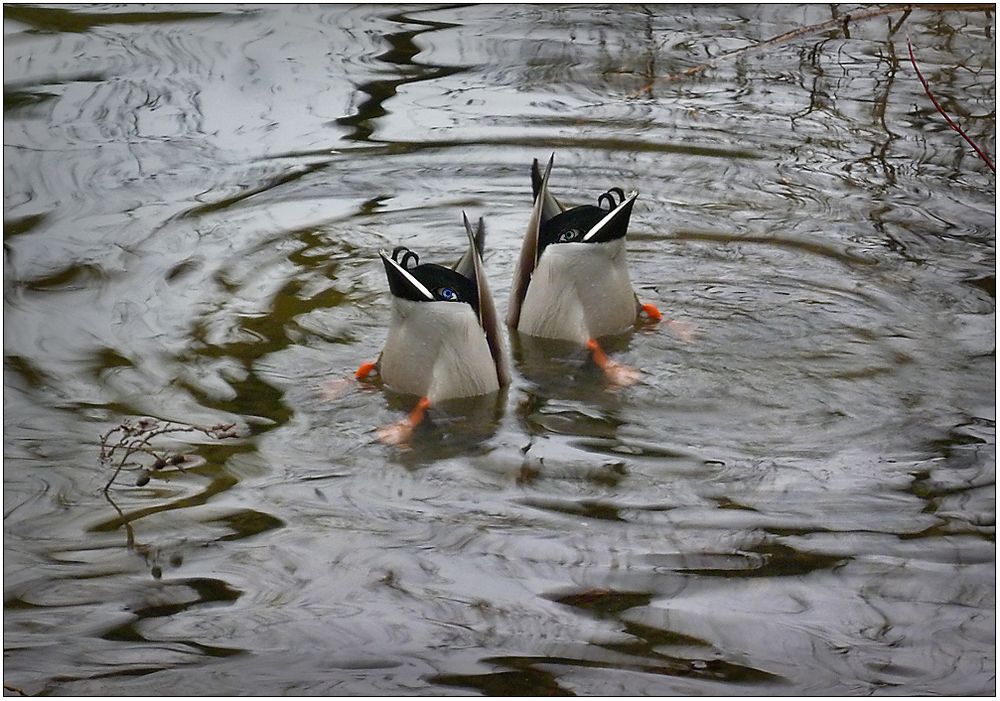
{"points": [[579, 291]]}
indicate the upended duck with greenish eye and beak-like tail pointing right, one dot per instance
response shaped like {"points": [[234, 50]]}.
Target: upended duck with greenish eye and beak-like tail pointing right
{"points": [[571, 280]]}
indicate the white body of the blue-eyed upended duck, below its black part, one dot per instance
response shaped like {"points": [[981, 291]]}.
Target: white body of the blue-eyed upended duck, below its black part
{"points": [[437, 350]]}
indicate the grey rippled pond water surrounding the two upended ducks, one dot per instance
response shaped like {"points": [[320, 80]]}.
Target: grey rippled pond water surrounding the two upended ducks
{"points": [[798, 500]]}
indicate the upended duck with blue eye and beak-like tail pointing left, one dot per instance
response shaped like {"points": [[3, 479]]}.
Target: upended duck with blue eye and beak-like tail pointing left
{"points": [[444, 338]]}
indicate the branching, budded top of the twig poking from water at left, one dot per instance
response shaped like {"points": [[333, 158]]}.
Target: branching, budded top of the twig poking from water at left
{"points": [[136, 438]]}
